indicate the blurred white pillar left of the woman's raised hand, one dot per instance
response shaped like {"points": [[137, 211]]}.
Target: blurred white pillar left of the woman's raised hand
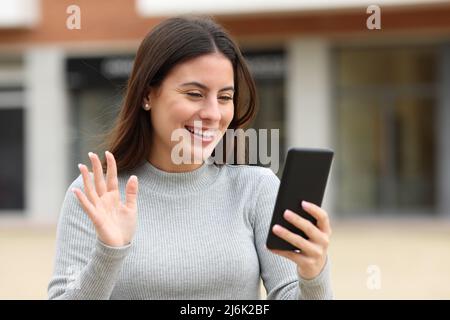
{"points": [[46, 136]]}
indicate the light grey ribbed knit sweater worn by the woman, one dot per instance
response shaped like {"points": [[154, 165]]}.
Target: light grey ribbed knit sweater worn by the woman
{"points": [[199, 235]]}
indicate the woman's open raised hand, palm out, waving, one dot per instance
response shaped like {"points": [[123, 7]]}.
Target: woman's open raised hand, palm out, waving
{"points": [[114, 221]]}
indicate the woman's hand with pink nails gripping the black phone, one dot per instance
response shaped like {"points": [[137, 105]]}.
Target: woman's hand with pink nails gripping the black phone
{"points": [[313, 256]]}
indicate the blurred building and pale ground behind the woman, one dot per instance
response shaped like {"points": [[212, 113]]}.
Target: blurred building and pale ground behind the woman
{"points": [[379, 97]]}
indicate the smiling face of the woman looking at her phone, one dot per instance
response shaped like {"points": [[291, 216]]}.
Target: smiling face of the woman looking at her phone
{"points": [[191, 111]]}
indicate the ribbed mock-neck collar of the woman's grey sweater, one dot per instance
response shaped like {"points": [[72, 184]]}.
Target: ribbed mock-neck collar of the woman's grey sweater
{"points": [[165, 182]]}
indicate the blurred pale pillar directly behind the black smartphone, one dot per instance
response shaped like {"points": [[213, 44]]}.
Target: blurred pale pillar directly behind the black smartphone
{"points": [[308, 110]]}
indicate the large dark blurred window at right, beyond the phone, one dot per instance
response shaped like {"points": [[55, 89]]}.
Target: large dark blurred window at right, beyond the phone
{"points": [[385, 108]]}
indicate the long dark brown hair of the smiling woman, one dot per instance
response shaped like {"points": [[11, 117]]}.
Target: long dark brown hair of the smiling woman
{"points": [[169, 43]]}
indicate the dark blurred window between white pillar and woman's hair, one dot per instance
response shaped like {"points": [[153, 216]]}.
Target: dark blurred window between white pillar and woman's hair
{"points": [[97, 85]]}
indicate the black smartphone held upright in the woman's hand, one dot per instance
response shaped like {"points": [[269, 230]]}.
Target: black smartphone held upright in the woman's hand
{"points": [[304, 177]]}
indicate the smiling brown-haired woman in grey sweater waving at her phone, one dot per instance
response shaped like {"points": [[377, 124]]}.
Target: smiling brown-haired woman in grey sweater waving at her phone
{"points": [[191, 229]]}
